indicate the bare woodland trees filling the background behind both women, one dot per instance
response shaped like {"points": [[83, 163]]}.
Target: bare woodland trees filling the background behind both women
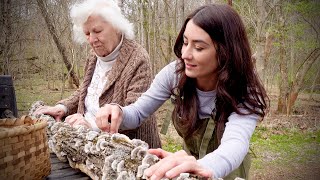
{"points": [[36, 40]]}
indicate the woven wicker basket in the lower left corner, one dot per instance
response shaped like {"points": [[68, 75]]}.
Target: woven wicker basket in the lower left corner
{"points": [[24, 152]]}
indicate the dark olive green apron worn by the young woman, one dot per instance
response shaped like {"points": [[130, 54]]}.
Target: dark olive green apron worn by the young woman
{"points": [[203, 141]]}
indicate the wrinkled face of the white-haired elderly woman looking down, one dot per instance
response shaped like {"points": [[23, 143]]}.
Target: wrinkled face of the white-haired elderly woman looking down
{"points": [[101, 35]]}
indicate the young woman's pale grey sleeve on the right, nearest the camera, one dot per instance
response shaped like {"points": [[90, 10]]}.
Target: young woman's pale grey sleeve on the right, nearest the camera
{"points": [[234, 145]]}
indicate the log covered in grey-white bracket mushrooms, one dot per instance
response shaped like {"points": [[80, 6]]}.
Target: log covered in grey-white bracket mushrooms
{"points": [[100, 155]]}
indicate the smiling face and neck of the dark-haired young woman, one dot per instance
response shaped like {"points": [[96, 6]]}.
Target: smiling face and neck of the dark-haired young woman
{"points": [[199, 55]]}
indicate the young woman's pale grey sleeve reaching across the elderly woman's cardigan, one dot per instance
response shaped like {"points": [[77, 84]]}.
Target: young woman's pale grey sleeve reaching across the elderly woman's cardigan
{"points": [[151, 100]]}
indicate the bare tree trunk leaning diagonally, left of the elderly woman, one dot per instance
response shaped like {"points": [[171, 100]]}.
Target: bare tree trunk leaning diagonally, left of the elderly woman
{"points": [[58, 43]]}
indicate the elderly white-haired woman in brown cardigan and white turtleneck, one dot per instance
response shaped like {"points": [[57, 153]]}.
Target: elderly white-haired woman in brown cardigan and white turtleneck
{"points": [[117, 70]]}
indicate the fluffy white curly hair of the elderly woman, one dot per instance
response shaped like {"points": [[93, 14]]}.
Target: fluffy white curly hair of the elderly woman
{"points": [[107, 9]]}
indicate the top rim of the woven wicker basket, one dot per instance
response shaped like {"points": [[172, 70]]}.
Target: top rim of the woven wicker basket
{"points": [[18, 126]]}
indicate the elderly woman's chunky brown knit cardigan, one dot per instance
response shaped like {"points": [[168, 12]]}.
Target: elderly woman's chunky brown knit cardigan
{"points": [[129, 77]]}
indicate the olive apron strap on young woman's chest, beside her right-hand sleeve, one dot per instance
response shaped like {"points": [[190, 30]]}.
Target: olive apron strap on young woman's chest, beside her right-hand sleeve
{"points": [[206, 138]]}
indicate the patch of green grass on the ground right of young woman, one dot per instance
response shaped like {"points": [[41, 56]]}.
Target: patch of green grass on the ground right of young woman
{"points": [[284, 145]]}
